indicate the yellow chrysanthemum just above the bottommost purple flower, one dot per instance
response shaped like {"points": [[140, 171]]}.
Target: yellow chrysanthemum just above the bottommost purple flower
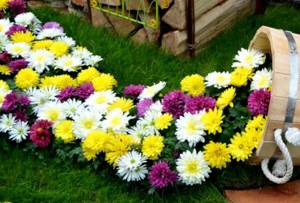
{"points": [[152, 146]]}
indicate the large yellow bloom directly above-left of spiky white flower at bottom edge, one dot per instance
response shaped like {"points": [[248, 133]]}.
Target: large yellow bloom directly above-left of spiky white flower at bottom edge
{"points": [[117, 146]]}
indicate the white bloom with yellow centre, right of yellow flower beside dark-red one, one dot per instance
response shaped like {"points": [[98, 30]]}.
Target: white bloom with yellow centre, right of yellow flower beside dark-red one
{"points": [[85, 122]]}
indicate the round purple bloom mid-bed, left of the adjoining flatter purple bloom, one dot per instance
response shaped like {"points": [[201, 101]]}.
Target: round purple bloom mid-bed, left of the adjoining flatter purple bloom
{"points": [[174, 103]]}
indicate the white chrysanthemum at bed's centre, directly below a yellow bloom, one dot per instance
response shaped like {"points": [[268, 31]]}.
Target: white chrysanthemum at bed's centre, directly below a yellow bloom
{"points": [[117, 121]]}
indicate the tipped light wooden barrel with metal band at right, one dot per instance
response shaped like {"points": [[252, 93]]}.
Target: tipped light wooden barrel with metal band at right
{"points": [[284, 48]]}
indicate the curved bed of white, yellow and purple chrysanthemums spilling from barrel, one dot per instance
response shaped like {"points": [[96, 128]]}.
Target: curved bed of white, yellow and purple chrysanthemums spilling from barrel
{"points": [[53, 95]]}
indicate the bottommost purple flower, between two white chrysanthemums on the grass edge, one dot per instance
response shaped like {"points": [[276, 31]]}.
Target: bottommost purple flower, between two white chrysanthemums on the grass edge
{"points": [[161, 176]]}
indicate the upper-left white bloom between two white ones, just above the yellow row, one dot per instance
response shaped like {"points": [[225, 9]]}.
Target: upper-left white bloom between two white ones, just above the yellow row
{"points": [[68, 63]]}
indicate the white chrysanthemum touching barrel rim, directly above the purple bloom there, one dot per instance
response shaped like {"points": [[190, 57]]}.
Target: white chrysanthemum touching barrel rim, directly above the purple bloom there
{"points": [[261, 79]]}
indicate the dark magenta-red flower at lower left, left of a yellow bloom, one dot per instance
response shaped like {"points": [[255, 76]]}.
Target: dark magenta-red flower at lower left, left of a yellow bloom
{"points": [[40, 133]]}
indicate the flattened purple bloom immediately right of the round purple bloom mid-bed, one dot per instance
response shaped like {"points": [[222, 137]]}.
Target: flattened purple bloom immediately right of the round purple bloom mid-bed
{"points": [[196, 104]]}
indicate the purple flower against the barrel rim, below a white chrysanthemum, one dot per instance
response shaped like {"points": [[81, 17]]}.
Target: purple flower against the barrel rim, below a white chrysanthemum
{"points": [[258, 102]]}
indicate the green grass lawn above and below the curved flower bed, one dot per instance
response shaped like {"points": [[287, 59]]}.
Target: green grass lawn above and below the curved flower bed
{"points": [[27, 178]]}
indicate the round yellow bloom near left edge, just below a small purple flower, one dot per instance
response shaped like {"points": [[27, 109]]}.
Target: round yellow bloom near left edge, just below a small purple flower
{"points": [[27, 78]]}
